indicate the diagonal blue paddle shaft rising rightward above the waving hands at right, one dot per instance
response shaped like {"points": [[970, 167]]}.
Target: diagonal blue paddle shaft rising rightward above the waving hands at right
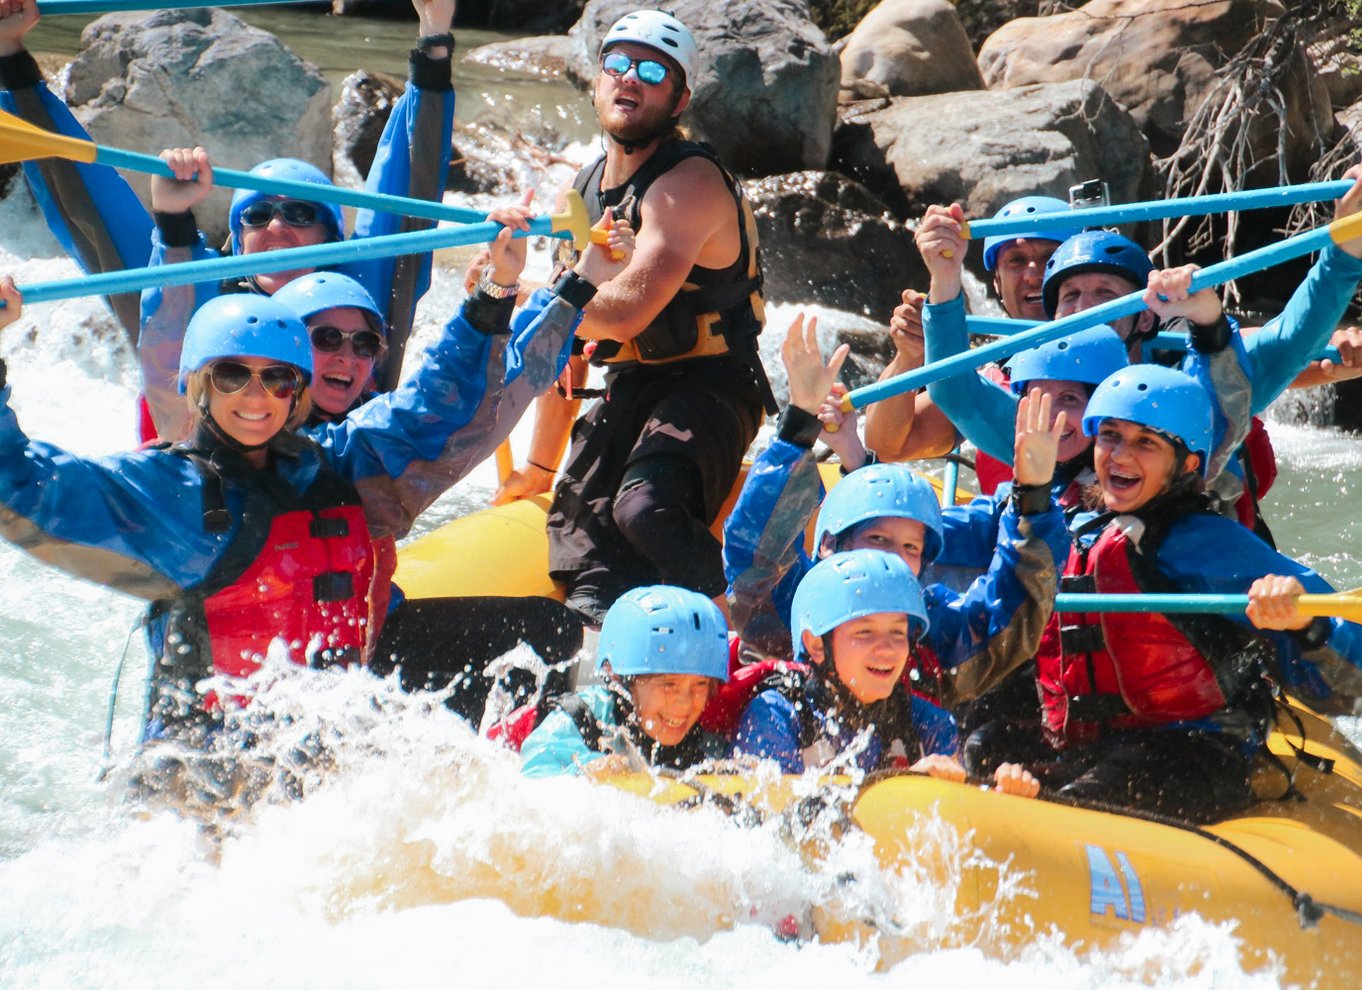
{"points": [[1107, 313]]}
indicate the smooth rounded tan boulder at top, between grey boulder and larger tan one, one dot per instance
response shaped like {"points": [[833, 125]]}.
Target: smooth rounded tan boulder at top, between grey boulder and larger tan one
{"points": [[909, 48]]}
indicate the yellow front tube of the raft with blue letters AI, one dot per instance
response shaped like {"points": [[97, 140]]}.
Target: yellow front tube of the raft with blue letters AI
{"points": [[1288, 874]]}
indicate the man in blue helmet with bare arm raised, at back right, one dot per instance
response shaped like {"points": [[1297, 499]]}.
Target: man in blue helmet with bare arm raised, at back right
{"points": [[910, 427]]}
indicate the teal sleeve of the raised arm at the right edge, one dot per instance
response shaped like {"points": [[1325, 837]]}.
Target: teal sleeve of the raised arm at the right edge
{"points": [[1285, 347]]}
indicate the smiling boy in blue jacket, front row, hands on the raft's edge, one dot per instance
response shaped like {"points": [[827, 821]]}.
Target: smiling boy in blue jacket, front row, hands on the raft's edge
{"points": [[855, 619]]}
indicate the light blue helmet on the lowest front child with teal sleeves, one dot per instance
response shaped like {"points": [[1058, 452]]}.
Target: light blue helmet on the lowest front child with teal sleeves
{"points": [[664, 630]]}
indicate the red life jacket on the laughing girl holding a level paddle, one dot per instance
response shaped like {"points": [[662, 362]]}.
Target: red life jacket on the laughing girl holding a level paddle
{"points": [[1119, 671]]}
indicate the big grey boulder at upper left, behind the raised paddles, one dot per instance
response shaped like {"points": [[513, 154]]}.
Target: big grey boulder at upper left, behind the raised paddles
{"points": [[179, 78]]}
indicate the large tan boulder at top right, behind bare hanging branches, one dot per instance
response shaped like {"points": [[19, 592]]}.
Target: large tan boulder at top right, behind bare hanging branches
{"points": [[1160, 61]]}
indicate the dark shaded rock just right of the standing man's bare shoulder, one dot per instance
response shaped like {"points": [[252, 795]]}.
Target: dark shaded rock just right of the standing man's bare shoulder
{"points": [[826, 239]]}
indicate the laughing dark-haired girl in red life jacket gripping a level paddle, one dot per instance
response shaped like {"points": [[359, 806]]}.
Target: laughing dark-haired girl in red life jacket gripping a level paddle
{"points": [[1158, 712]]}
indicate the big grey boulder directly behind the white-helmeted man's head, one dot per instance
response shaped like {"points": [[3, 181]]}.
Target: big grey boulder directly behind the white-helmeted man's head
{"points": [[766, 95]]}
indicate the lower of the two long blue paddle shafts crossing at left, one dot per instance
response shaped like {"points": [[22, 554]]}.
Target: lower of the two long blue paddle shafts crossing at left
{"points": [[289, 259]]}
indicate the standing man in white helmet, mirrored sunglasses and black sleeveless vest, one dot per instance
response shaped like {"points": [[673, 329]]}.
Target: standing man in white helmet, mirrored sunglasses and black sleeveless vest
{"points": [[653, 464]]}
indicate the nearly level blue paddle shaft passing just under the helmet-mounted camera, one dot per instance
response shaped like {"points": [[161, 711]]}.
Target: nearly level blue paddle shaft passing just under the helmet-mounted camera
{"points": [[1156, 210]]}
